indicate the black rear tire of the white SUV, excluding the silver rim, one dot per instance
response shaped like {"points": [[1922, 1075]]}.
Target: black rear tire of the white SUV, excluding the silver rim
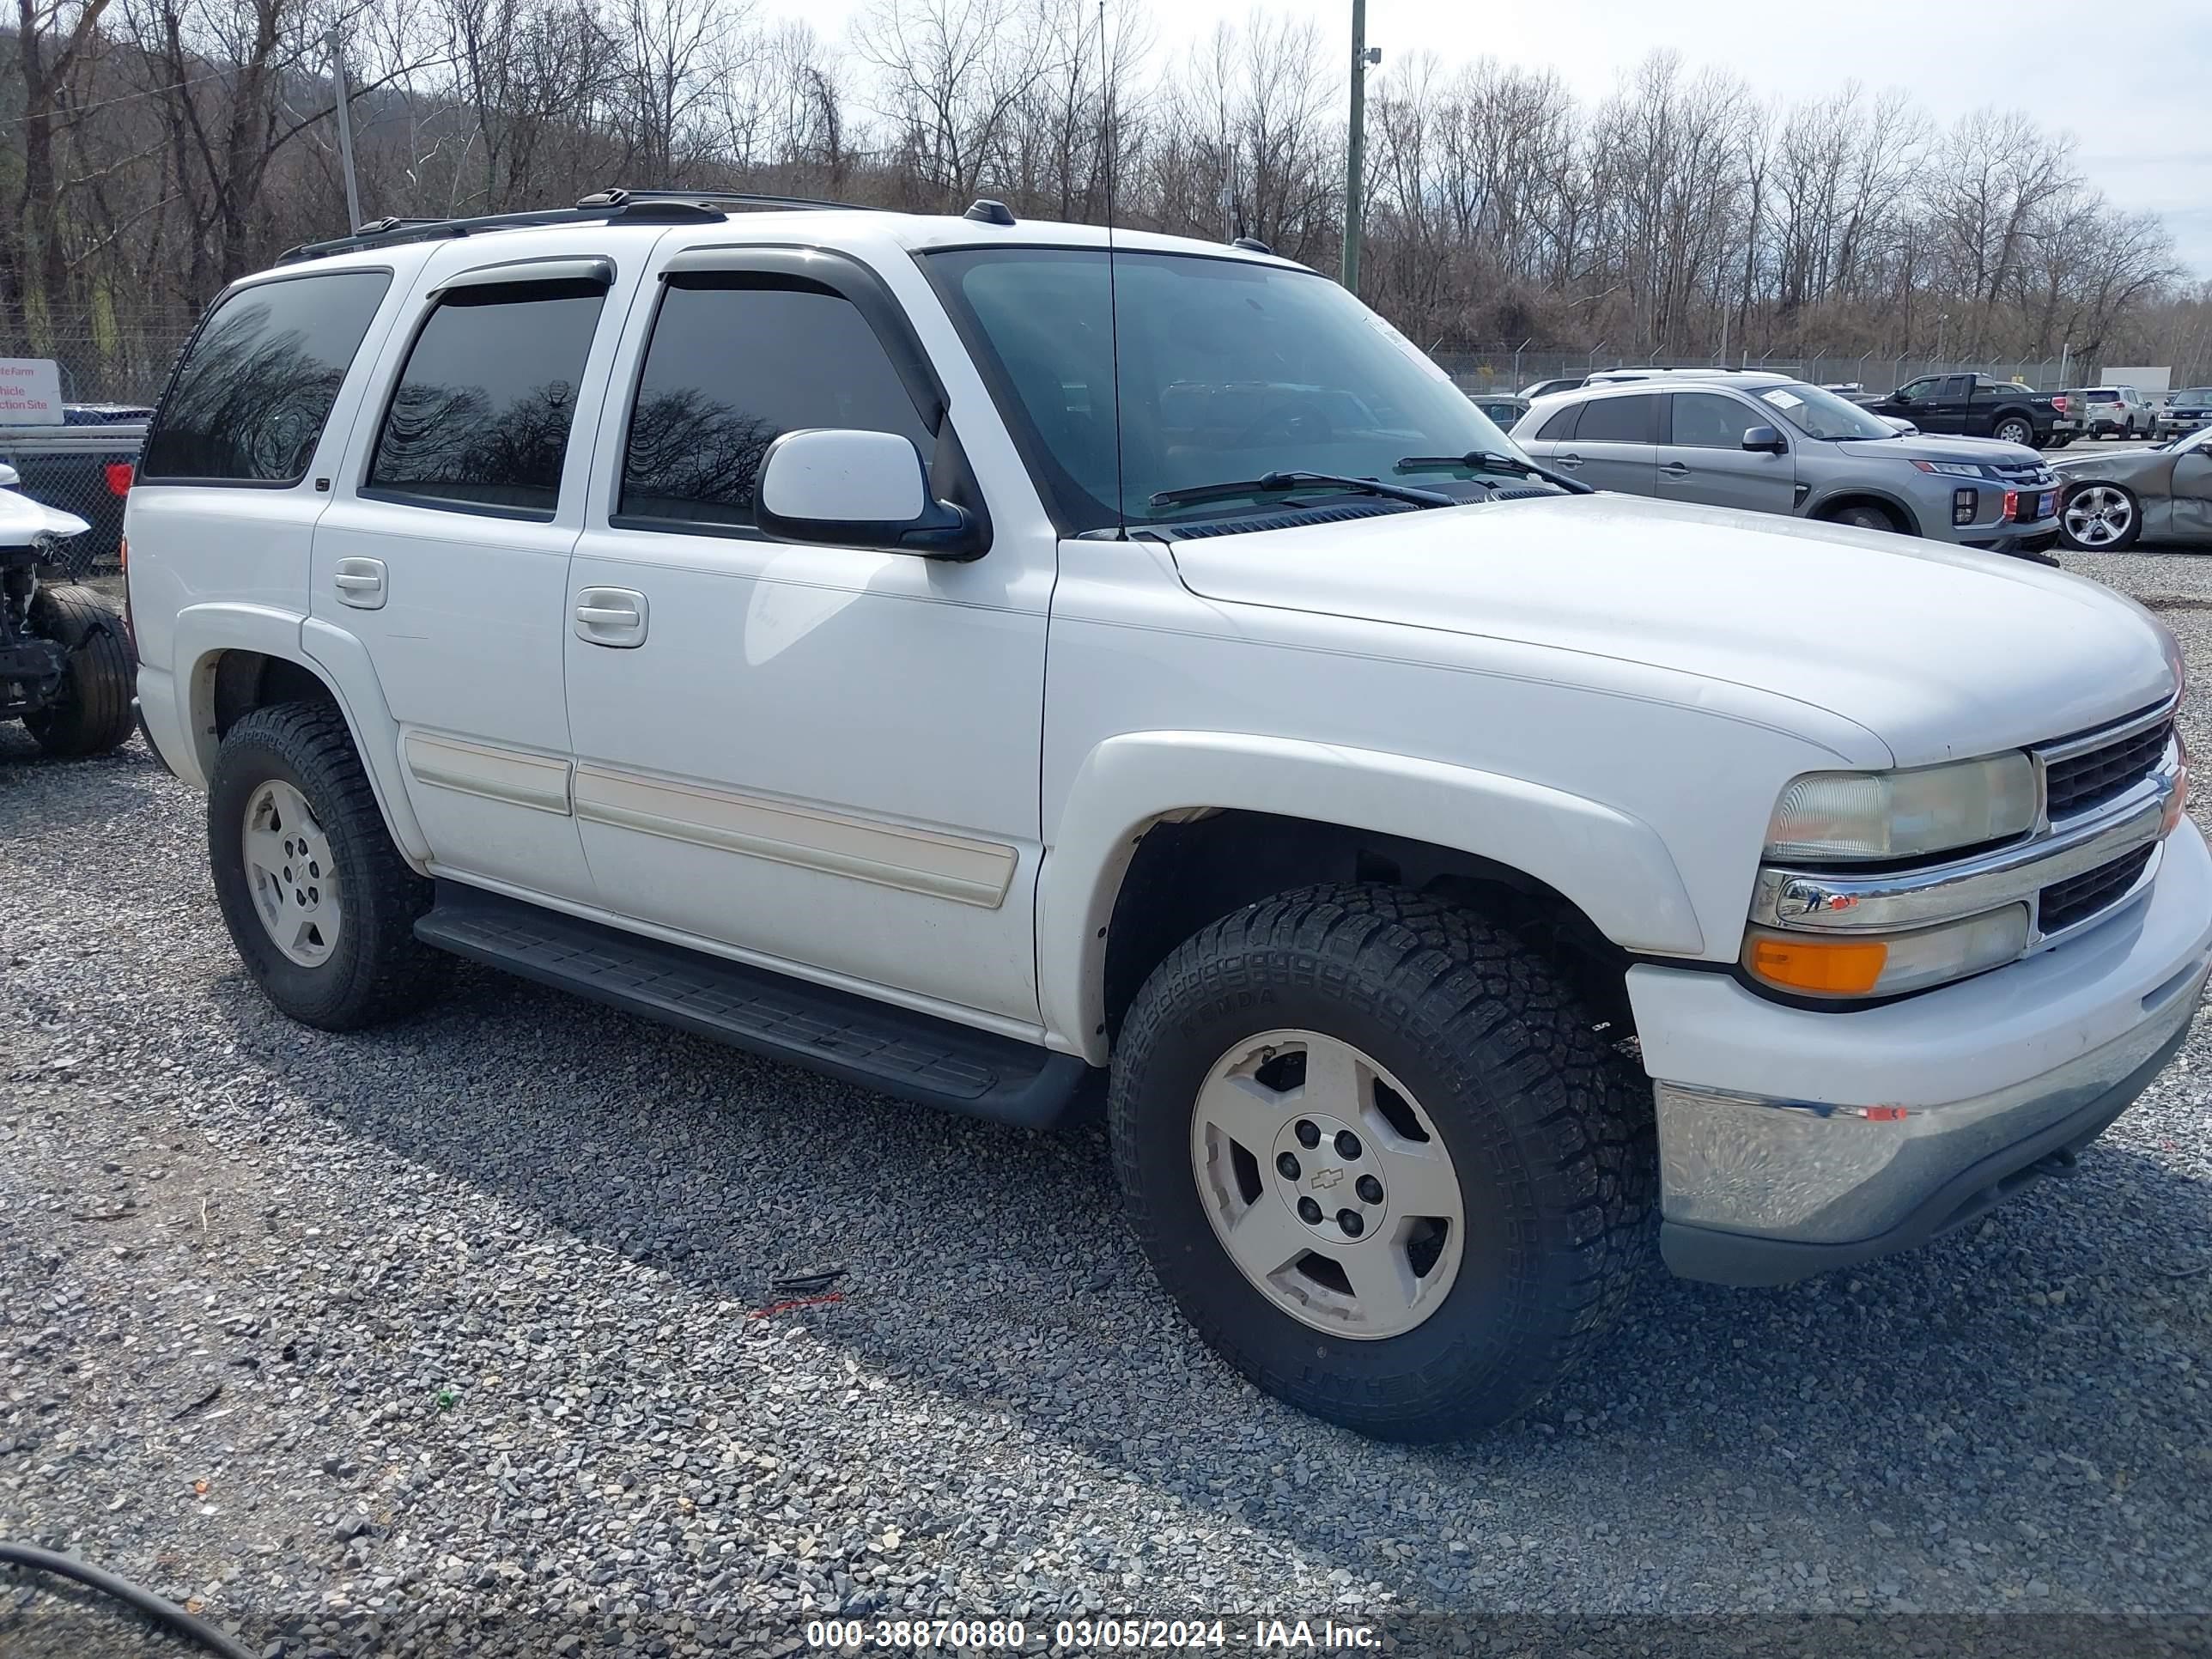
{"points": [[379, 970]]}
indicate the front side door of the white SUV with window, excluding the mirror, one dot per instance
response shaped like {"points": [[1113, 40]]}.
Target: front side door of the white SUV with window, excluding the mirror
{"points": [[822, 760]]}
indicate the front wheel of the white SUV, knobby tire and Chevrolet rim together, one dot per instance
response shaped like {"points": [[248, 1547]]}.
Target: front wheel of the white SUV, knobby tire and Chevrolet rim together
{"points": [[1381, 1160]]}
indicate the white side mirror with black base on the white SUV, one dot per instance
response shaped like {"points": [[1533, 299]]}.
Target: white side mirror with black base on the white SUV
{"points": [[859, 490]]}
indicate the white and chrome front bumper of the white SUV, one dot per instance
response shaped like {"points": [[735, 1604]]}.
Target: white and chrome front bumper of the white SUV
{"points": [[1802, 1140]]}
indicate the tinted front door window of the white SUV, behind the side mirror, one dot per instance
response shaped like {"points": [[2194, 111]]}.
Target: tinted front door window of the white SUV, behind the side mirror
{"points": [[731, 368]]}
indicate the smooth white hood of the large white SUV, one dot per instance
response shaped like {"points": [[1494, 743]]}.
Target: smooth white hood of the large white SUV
{"points": [[1939, 651]]}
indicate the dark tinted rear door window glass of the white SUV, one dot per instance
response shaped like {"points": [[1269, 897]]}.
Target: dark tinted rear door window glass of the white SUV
{"points": [[483, 408]]}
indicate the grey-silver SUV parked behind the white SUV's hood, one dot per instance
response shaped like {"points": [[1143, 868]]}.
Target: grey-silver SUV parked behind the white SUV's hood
{"points": [[1775, 446]]}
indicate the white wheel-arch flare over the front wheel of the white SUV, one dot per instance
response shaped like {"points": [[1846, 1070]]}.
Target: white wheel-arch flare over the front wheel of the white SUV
{"points": [[1605, 862]]}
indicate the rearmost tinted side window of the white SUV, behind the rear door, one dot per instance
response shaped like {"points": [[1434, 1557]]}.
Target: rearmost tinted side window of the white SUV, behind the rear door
{"points": [[255, 388]]}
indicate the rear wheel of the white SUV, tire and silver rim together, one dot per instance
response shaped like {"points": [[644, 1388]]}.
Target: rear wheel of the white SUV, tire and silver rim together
{"points": [[317, 899]]}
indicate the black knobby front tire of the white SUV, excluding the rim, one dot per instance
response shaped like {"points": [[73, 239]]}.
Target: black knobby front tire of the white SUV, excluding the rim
{"points": [[1547, 1125]]}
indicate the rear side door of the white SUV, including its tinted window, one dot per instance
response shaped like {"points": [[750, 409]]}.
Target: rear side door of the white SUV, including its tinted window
{"points": [[446, 552]]}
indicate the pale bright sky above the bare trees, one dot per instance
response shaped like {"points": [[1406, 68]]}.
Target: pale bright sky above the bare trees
{"points": [[2131, 81]]}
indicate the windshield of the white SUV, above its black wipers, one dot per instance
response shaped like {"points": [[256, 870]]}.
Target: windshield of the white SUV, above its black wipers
{"points": [[1231, 371]]}
